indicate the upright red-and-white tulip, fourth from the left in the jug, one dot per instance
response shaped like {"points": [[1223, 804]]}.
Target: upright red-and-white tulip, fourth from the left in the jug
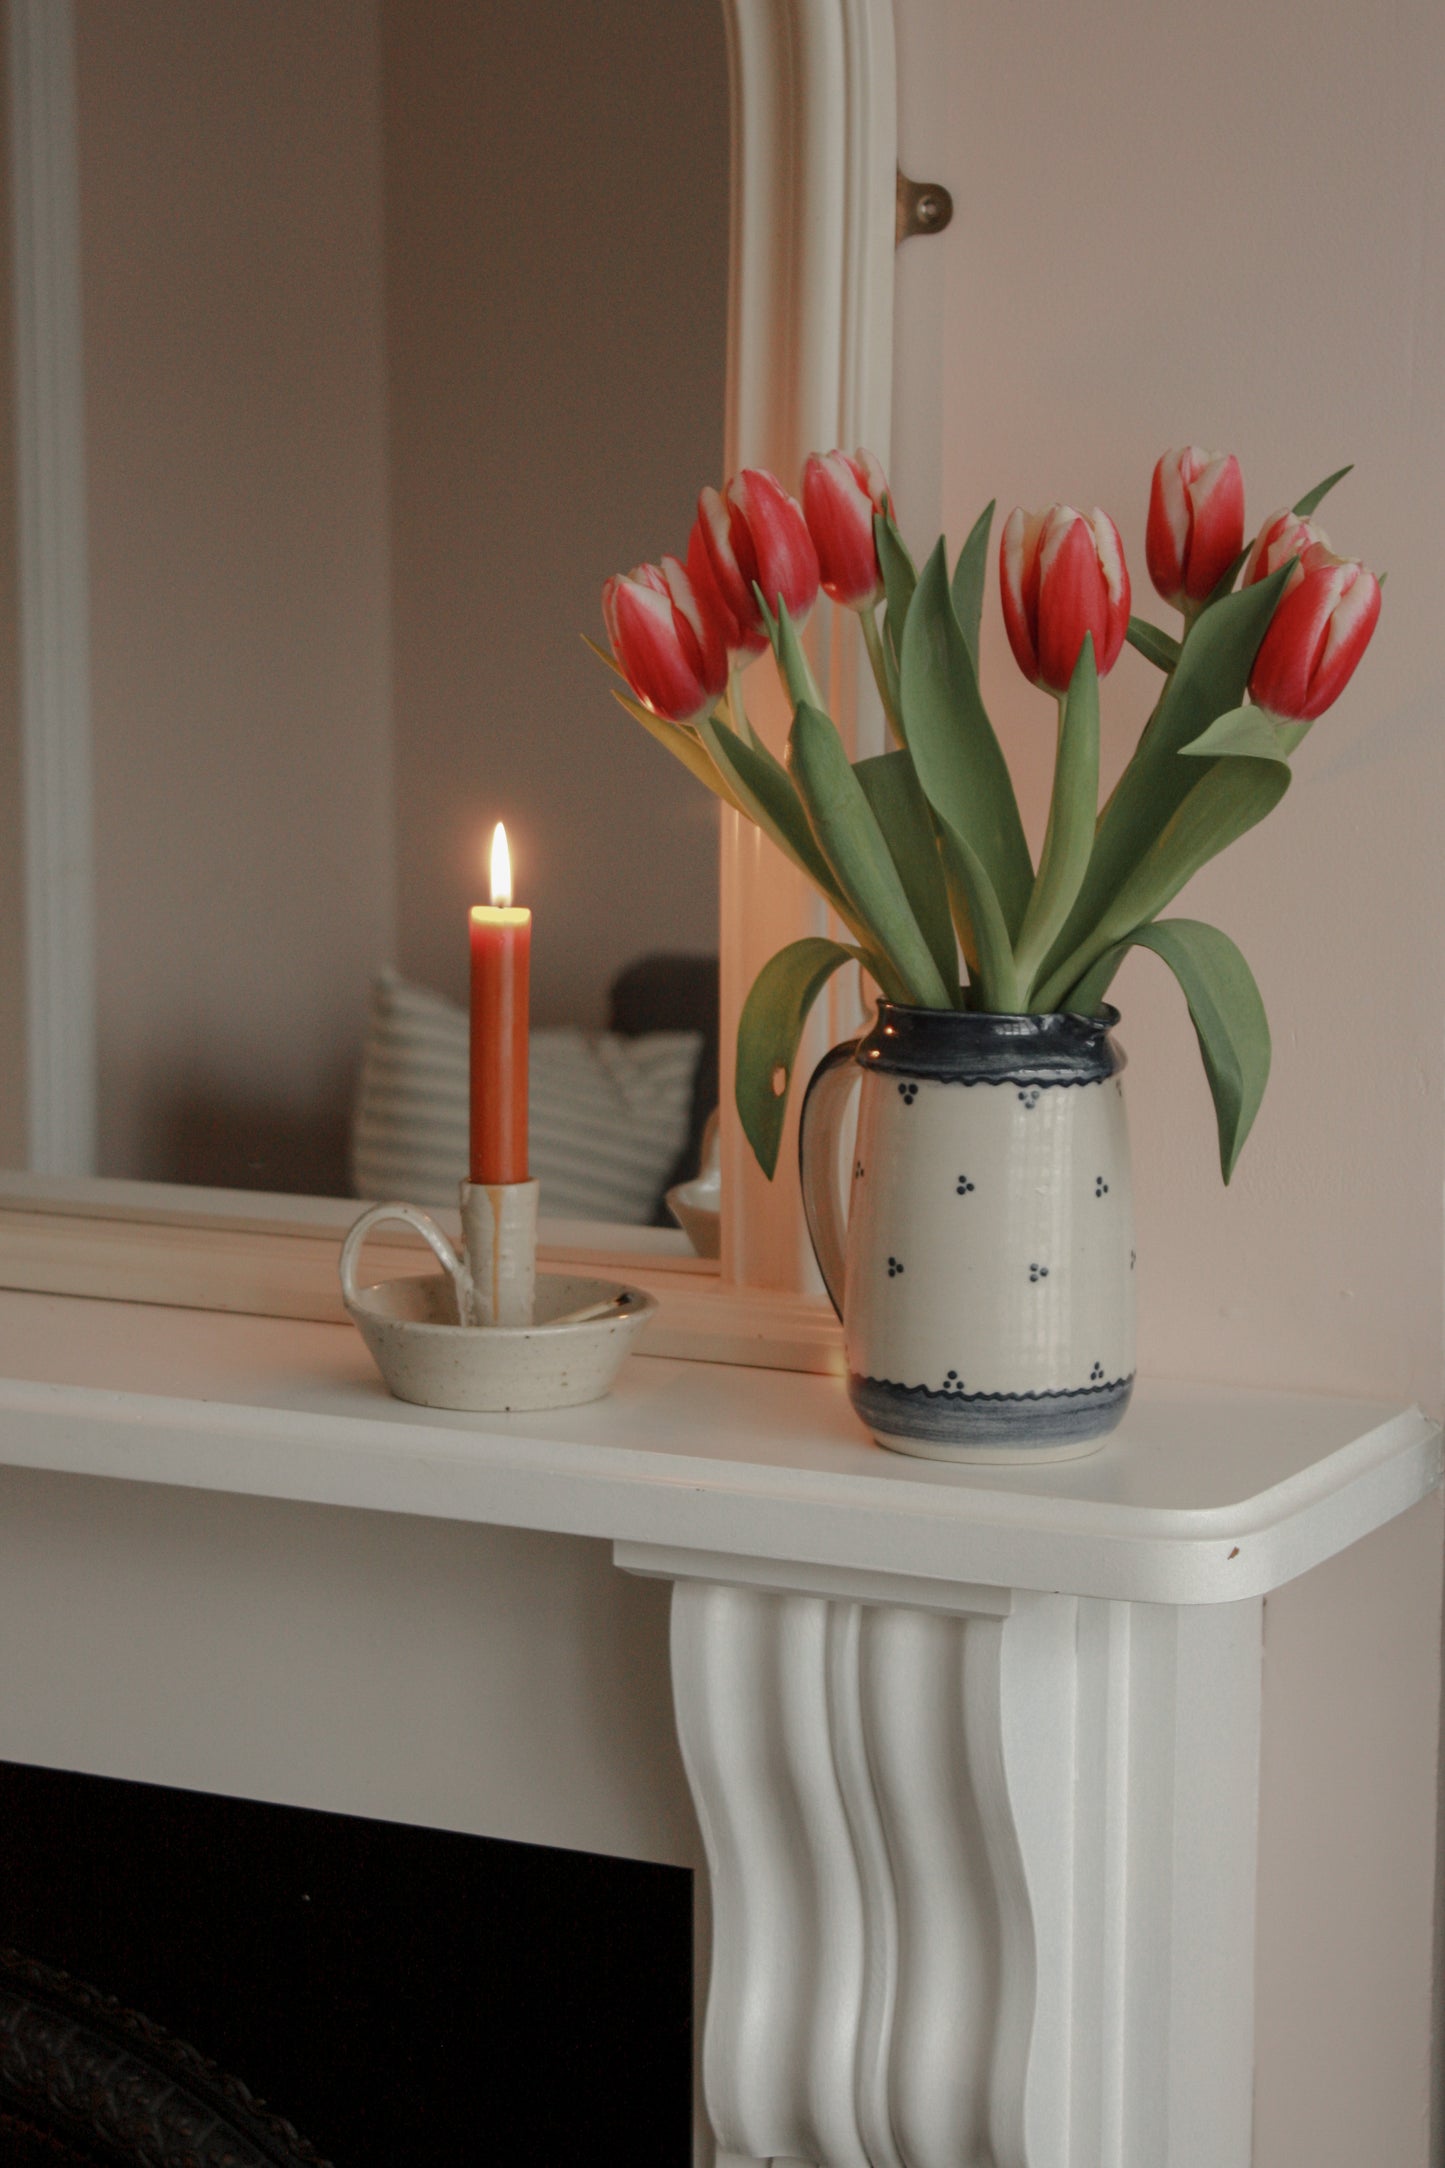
{"points": [[1063, 578]]}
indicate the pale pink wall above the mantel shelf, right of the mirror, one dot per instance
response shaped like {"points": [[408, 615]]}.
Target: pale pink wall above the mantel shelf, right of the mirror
{"points": [[1232, 237]]}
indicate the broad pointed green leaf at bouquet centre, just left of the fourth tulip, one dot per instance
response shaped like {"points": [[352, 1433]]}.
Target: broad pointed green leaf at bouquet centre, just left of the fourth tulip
{"points": [[954, 747]]}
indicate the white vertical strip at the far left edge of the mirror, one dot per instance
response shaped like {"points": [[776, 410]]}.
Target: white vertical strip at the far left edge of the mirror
{"points": [[55, 691]]}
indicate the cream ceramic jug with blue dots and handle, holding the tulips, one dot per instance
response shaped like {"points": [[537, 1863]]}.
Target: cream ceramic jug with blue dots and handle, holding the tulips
{"points": [[985, 1263]]}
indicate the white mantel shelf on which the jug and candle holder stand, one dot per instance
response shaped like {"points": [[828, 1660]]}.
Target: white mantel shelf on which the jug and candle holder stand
{"points": [[1203, 1497]]}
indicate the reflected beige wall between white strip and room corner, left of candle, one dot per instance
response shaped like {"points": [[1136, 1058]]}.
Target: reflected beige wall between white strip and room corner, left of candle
{"points": [[237, 495]]}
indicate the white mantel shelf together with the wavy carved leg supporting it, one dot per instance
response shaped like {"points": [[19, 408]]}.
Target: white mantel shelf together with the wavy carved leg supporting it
{"points": [[974, 1753]]}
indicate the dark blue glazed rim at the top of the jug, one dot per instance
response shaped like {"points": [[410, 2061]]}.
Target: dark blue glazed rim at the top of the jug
{"points": [[959, 1046]]}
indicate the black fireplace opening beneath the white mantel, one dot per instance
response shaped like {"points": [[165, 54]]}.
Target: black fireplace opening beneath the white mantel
{"points": [[404, 1998]]}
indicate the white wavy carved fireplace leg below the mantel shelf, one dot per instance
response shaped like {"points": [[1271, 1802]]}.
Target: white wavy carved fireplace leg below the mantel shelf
{"points": [[982, 1885]]}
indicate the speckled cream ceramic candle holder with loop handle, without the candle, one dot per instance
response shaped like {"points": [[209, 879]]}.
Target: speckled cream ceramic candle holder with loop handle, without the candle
{"points": [[486, 1337]]}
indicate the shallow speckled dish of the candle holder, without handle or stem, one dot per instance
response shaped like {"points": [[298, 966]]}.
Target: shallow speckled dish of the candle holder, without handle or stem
{"points": [[428, 1358]]}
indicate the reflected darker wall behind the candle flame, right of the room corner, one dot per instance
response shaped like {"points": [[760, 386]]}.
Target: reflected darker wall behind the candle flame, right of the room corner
{"points": [[558, 268]]}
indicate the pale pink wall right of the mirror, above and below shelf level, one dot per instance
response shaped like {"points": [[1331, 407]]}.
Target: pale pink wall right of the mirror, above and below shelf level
{"points": [[1232, 229]]}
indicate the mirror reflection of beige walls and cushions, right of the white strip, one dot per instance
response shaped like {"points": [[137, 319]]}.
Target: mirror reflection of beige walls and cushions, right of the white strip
{"points": [[404, 320]]}
